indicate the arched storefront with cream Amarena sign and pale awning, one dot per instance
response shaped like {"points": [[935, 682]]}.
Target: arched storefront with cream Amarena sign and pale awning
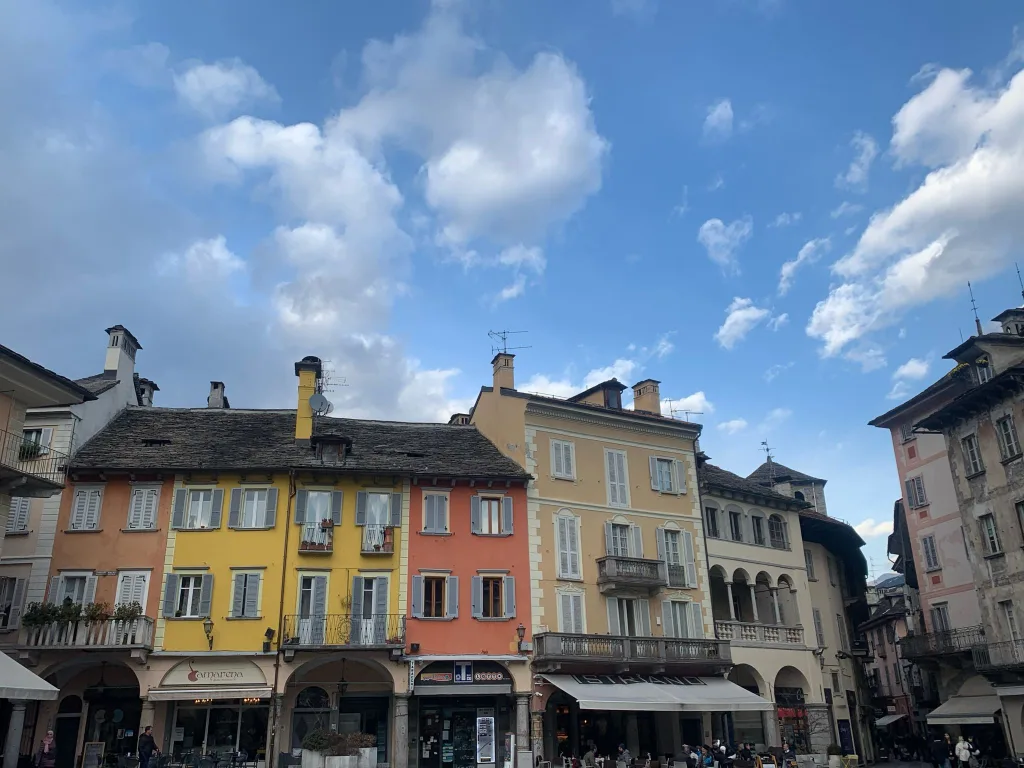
{"points": [[217, 707]]}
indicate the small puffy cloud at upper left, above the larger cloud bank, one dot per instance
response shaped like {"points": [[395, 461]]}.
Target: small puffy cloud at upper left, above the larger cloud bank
{"points": [[224, 89]]}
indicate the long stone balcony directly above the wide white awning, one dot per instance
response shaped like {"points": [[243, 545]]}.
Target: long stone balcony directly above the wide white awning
{"points": [[553, 651]]}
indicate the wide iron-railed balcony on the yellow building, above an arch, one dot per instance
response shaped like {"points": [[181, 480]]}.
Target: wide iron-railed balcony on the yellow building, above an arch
{"points": [[345, 631]]}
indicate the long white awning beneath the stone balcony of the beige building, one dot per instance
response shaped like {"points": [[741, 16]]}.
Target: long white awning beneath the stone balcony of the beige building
{"points": [[659, 694]]}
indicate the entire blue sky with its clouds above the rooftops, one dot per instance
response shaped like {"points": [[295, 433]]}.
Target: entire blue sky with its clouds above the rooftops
{"points": [[772, 206]]}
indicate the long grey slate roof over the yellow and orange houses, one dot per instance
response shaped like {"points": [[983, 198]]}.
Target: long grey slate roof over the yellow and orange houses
{"points": [[162, 439]]}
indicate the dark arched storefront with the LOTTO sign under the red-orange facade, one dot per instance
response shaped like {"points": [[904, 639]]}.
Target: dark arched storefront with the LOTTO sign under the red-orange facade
{"points": [[461, 715]]}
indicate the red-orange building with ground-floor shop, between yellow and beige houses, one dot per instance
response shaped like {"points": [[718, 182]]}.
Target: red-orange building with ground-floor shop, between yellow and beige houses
{"points": [[470, 621]]}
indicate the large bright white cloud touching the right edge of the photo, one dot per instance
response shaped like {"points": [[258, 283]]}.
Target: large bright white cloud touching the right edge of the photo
{"points": [[961, 224]]}
